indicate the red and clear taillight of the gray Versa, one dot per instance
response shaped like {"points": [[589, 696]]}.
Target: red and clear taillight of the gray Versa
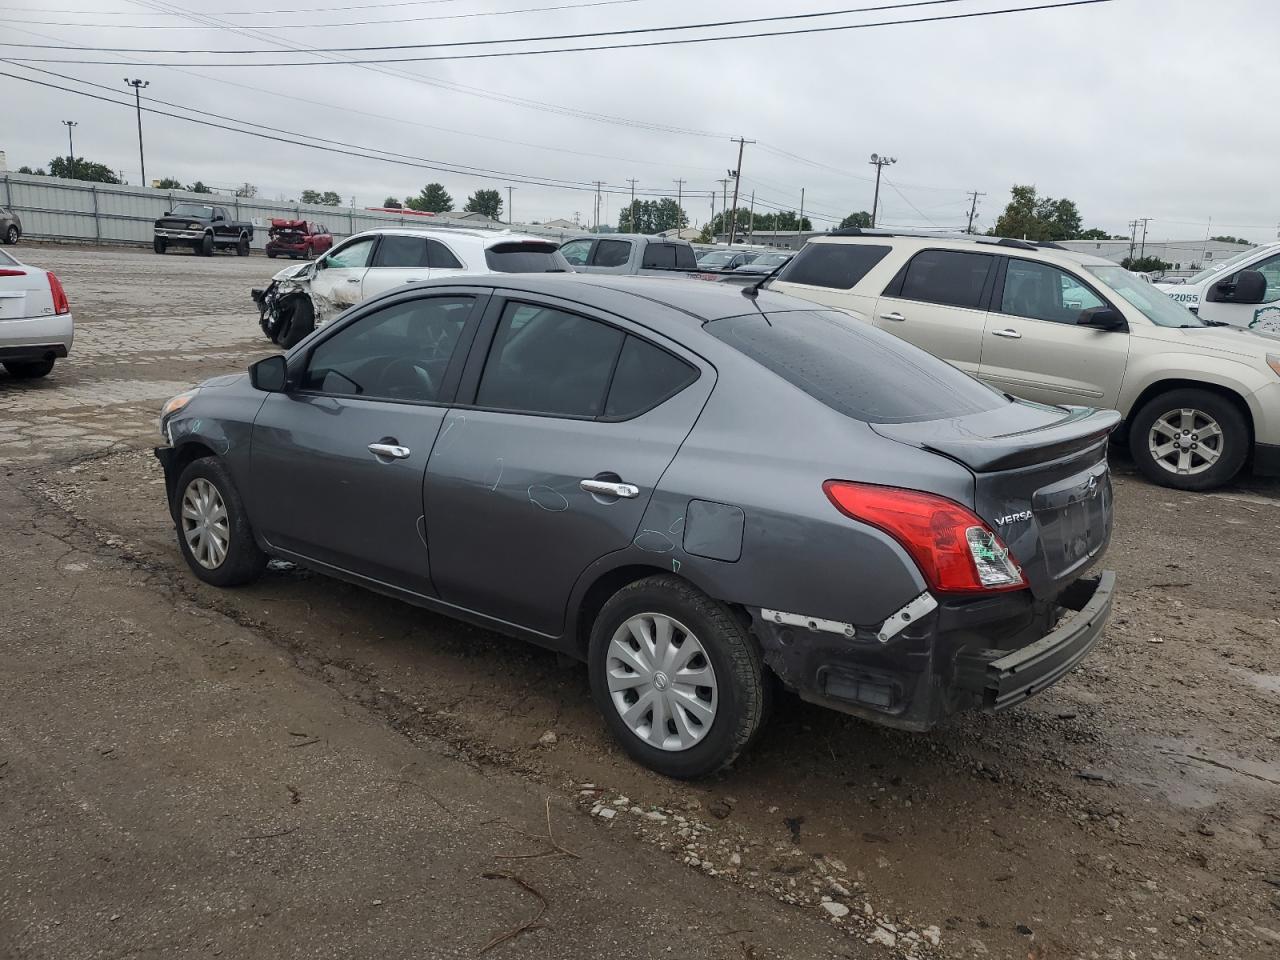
{"points": [[952, 546]]}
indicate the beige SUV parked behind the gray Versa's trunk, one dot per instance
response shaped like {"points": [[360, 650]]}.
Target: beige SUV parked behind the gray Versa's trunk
{"points": [[1050, 326]]}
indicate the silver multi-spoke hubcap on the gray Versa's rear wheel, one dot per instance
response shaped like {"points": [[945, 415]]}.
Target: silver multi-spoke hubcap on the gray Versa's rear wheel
{"points": [[661, 682]]}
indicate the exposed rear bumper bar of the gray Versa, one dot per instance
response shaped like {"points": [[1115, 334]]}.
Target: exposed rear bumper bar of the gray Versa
{"points": [[1005, 679]]}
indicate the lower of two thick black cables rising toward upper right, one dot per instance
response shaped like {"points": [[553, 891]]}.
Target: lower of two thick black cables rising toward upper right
{"points": [[835, 29]]}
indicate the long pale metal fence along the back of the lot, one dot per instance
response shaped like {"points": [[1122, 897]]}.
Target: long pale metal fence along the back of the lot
{"points": [[57, 209]]}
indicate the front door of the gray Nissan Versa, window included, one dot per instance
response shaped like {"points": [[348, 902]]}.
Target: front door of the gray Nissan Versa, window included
{"points": [[339, 460]]}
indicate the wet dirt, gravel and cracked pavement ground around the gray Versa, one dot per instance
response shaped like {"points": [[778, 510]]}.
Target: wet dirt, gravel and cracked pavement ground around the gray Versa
{"points": [[1131, 812]]}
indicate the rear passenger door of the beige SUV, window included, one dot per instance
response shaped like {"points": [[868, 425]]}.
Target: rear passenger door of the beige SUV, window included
{"points": [[939, 303]]}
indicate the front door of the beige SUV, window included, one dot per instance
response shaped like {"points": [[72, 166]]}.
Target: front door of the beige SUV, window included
{"points": [[1035, 349]]}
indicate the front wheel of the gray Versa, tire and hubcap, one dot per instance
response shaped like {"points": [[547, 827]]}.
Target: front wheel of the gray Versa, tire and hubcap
{"points": [[241, 561]]}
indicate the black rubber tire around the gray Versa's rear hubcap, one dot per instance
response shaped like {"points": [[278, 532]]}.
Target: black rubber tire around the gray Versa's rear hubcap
{"points": [[685, 605]]}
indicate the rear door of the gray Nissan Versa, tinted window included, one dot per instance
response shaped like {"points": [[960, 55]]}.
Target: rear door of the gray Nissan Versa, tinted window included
{"points": [[573, 420]]}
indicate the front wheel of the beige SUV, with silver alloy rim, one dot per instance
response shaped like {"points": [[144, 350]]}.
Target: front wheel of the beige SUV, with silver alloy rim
{"points": [[1196, 412]]}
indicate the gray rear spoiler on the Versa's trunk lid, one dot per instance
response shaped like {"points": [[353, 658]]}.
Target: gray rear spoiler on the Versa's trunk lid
{"points": [[1082, 429]]}
